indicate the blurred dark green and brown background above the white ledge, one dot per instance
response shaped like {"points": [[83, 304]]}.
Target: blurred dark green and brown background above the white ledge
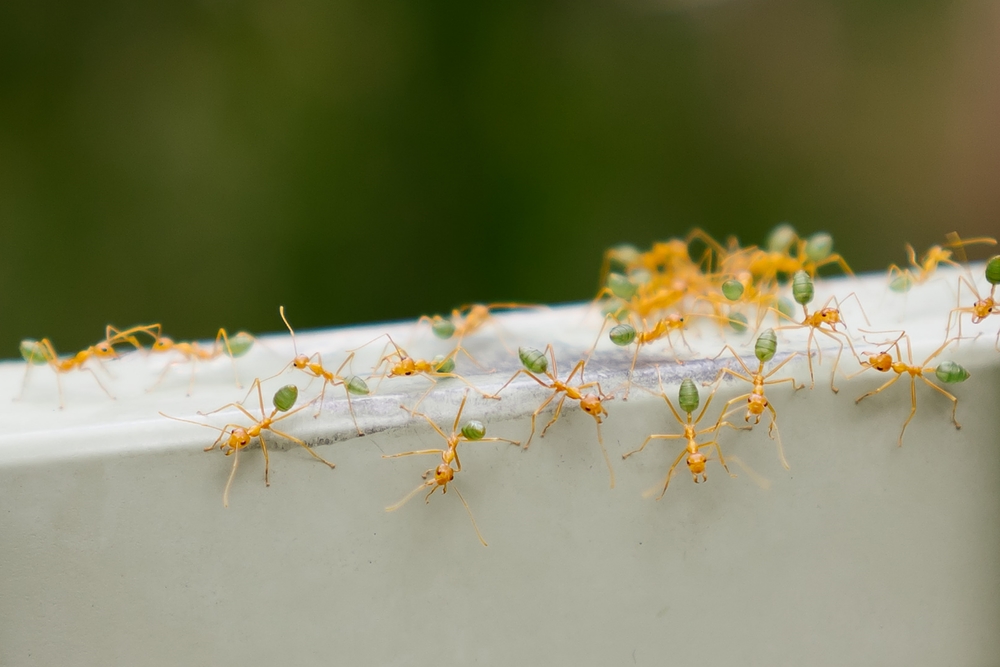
{"points": [[200, 163]]}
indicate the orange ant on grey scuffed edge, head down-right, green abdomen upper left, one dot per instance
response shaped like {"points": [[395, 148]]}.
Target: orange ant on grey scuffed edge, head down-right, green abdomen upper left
{"points": [[536, 362]]}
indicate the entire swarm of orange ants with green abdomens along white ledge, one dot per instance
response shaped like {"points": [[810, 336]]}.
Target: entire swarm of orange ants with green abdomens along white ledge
{"points": [[645, 297]]}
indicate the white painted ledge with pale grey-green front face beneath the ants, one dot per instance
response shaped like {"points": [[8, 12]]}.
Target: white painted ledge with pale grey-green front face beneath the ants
{"points": [[116, 548]]}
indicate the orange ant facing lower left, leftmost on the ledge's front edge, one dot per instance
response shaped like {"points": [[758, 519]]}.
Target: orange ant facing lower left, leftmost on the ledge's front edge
{"points": [[238, 437]]}
